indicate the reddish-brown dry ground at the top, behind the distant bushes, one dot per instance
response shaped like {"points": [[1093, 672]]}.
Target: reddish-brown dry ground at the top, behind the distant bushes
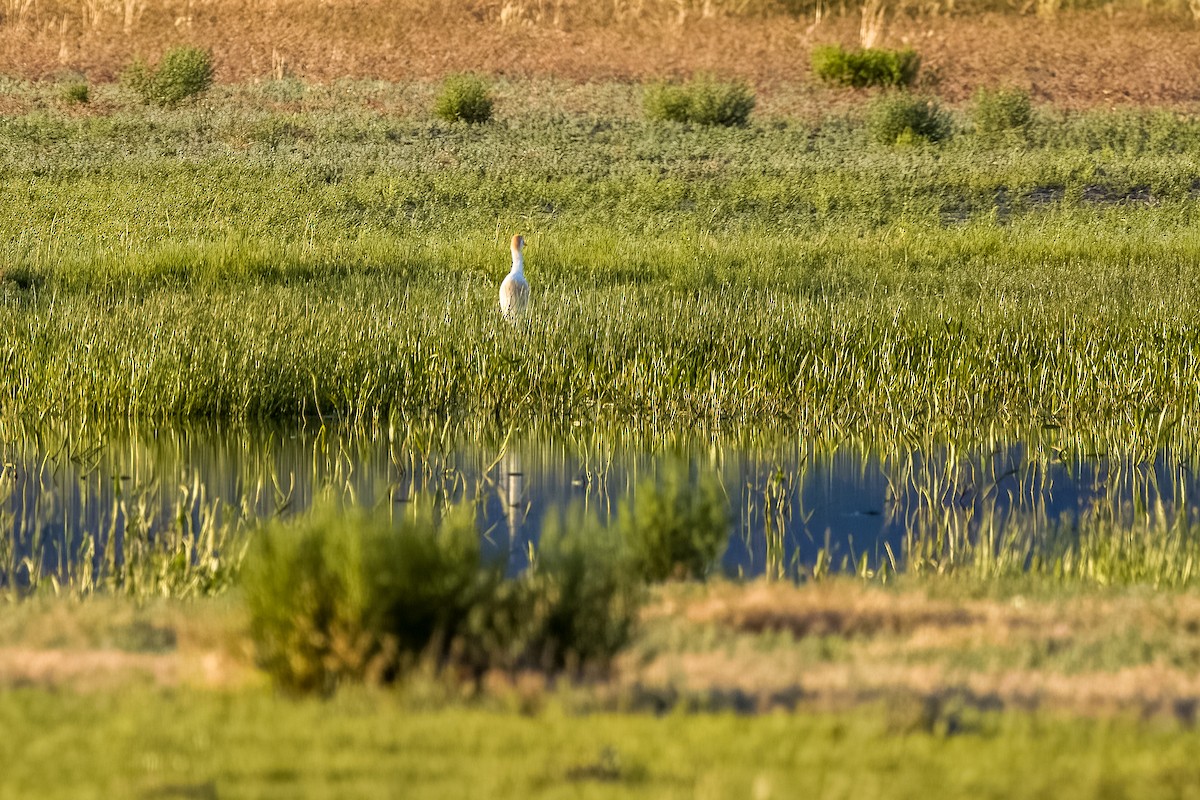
{"points": [[1085, 59]]}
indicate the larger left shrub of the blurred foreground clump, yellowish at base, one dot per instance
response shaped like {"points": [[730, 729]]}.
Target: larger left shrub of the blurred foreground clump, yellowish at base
{"points": [[343, 596]]}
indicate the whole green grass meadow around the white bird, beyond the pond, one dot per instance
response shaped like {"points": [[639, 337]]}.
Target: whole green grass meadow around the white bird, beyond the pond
{"points": [[811, 278]]}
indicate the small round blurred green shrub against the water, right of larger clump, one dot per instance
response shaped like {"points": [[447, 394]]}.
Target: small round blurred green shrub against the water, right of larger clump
{"points": [[676, 530]]}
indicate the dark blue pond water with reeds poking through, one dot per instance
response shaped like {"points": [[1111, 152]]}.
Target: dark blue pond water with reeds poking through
{"points": [[793, 506]]}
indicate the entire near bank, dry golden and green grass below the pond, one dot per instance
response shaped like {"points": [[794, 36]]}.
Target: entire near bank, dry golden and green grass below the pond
{"points": [[889, 694]]}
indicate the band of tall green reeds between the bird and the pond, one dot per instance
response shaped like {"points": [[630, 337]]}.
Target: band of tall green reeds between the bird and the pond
{"points": [[375, 348]]}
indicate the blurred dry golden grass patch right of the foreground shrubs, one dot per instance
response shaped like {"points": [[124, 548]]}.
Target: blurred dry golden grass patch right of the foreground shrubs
{"points": [[839, 645]]}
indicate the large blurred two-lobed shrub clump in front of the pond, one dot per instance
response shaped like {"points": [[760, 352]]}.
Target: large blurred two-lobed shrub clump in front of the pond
{"points": [[345, 597]]}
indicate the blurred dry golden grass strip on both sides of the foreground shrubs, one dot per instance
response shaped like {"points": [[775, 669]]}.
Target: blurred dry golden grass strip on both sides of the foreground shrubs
{"points": [[827, 646]]}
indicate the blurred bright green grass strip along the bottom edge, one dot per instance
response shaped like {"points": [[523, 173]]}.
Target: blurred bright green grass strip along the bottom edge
{"points": [[189, 744]]}
